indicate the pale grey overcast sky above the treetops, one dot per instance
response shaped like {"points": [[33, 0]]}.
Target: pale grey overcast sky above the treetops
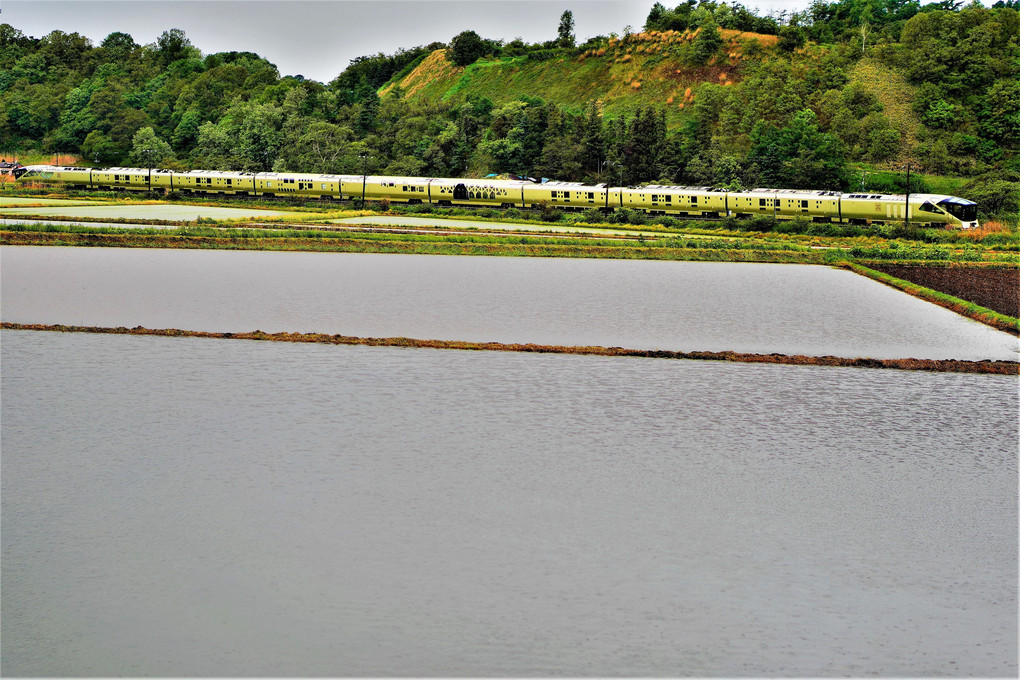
{"points": [[318, 39]]}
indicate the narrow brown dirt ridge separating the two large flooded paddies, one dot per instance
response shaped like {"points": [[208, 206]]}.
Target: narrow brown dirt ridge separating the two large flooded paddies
{"points": [[939, 365]]}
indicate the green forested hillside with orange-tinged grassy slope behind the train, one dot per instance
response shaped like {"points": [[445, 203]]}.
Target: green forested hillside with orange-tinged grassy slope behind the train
{"points": [[705, 93]]}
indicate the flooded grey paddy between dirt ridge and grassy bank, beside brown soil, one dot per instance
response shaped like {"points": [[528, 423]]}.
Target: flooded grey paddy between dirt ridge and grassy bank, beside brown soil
{"points": [[680, 306]]}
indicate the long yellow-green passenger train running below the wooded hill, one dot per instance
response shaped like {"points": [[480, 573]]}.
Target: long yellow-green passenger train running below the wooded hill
{"points": [[821, 206]]}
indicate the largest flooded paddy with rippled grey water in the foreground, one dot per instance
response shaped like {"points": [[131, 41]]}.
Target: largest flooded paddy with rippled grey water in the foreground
{"points": [[185, 507]]}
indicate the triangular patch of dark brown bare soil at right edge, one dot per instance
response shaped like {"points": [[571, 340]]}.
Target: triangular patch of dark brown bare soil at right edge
{"points": [[995, 289]]}
